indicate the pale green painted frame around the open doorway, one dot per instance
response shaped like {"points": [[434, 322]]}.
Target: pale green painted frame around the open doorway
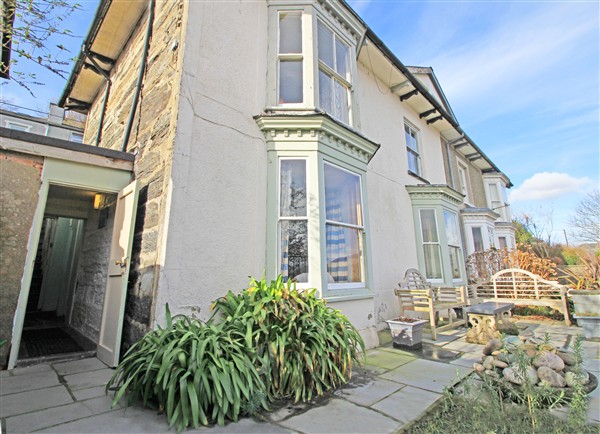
{"points": [[67, 174]]}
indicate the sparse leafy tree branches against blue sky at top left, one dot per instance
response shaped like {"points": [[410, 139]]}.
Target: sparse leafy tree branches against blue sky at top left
{"points": [[28, 27]]}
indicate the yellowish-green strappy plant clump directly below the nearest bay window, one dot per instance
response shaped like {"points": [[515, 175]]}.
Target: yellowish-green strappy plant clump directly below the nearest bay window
{"points": [[303, 347]]}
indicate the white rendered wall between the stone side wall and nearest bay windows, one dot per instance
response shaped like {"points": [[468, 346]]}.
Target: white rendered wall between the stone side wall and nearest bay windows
{"points": [[217, 220]]}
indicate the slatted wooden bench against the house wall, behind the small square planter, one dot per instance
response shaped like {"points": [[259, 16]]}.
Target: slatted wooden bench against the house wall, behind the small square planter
{"points": [[418, 295]]}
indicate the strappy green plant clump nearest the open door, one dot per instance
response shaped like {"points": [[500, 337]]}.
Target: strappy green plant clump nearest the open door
{"points": [[195, 372]]}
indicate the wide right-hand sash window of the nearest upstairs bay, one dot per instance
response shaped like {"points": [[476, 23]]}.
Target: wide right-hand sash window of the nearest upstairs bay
{"points": [[334, 74]]}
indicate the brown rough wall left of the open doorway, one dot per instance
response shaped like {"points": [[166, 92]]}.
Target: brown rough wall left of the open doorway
{"points": [[20, 178]]}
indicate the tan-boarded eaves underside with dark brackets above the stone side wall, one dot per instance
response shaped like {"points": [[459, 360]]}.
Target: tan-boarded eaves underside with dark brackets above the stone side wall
{"points": [[110, 31]]}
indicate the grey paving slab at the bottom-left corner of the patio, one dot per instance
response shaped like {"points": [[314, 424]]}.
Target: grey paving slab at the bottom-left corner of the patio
{"points": [[45, 418]]}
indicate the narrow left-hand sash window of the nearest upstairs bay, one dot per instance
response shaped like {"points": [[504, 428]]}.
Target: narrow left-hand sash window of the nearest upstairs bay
{"points": [[290, 58]]}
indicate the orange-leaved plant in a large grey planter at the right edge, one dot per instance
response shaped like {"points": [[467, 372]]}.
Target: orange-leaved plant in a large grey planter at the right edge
{"points": [[586, 294]]}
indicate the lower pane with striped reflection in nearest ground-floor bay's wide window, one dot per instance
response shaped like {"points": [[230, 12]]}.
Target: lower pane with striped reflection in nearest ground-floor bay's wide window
{"points": [[344, 256]]}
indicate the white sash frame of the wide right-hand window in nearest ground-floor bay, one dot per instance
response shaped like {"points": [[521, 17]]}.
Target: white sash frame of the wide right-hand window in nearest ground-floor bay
{"points": [[360, 228]]}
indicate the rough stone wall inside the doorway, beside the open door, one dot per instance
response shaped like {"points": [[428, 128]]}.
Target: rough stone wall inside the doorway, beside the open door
{"points": [[88, 299]]}
